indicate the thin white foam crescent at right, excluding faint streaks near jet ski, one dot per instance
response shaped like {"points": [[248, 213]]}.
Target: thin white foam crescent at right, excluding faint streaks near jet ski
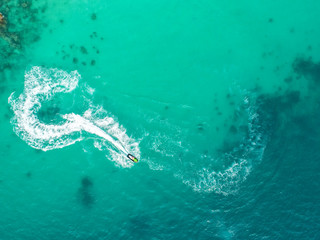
{"points": [[244, 157]]}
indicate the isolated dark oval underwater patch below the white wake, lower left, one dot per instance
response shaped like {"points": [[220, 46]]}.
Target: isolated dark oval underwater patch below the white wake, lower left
{"points": [[85, 195]]}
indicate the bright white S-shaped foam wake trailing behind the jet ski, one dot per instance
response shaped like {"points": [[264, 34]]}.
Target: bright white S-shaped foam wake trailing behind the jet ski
{"points": [[41, 85]]}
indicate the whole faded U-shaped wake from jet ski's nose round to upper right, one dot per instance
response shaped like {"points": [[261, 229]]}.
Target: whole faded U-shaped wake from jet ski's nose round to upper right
{"points": [[198, 170]]}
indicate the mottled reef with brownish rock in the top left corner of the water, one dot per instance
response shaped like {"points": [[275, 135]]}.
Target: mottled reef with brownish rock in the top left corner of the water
{"points": [[21, 23]]}
